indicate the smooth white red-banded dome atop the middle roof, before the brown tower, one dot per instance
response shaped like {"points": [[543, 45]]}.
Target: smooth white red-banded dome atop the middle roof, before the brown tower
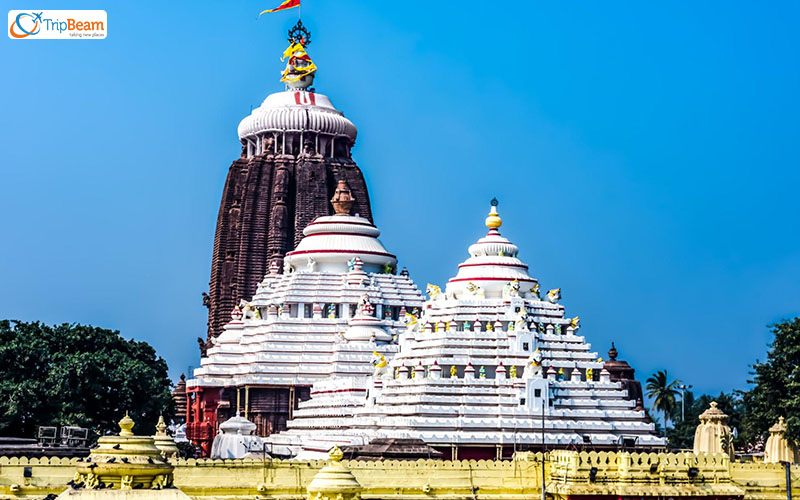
{"points": [[333, 240]]}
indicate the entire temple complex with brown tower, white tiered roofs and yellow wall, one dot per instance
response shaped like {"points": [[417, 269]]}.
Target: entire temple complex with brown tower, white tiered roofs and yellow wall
{"points": [[326, 373]]}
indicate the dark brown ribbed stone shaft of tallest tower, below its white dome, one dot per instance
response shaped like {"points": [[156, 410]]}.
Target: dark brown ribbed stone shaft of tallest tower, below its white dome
{"points": [[267, 201]]}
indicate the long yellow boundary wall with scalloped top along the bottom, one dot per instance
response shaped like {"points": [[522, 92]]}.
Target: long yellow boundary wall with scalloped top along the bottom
{"points": [[567, 473]]}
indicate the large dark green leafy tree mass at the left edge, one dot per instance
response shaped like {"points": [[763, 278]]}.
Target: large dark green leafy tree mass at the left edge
{"points": [[78, 375]]}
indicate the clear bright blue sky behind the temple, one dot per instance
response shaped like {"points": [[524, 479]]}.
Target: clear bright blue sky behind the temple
{"points": [[645, 156]]}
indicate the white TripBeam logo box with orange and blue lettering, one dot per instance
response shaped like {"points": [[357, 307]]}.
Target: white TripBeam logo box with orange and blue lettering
{"points": [[57, 24]]}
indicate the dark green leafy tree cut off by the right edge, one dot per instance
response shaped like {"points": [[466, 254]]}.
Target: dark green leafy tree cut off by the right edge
{"points": [[776, 386]]}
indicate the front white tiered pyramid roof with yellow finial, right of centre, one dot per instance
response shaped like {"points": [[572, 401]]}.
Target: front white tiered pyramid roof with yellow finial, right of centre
{"points": [[486, 362]]}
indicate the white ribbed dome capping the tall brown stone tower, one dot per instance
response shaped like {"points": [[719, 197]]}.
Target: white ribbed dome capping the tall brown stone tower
{"points": [[297, 111]]}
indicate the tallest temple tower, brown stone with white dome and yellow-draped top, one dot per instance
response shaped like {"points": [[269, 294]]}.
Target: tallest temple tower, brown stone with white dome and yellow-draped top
{"points": [[295, 150]]}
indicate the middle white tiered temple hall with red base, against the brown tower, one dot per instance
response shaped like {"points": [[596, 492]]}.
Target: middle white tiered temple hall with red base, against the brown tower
{"points": [[335, 306]]}
